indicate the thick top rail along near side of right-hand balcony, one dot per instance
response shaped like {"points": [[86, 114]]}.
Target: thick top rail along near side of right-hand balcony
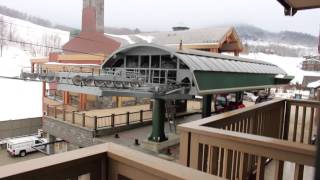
{"points": [[257, 145]]}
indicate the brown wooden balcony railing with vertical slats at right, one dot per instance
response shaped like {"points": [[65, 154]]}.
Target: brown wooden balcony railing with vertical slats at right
{"points": [[238, 144]]}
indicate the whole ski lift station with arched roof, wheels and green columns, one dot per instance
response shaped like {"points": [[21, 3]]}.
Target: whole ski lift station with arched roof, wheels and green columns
{"points": [[165, 74]]}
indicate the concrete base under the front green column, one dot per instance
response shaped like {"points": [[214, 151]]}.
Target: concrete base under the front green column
{"points": [[173, 139]]}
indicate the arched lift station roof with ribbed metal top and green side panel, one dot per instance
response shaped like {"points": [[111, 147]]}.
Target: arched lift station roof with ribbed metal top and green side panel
{"points": [[215, 73]]}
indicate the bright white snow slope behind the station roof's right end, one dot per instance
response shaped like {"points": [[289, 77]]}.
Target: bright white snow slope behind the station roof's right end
{"points": [[291, 65]]}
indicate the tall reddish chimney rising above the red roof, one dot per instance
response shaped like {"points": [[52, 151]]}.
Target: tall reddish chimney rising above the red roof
{"points": [[93, 16]]}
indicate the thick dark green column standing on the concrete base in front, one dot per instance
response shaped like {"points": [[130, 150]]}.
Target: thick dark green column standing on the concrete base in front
{"points": [[158, 118]]}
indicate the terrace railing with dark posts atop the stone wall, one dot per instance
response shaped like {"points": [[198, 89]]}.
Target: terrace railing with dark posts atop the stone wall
{"points": [[101, 122]]}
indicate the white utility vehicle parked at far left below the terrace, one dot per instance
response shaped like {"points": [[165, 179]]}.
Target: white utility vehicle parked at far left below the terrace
{"points": [[23, 145]]}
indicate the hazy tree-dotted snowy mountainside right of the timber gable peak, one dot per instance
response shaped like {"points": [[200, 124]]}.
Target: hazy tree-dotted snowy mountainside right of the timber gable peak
{"points": [[285, 43]]}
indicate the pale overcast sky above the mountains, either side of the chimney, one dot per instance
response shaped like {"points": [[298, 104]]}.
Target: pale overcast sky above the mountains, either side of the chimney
{"points": [[149, 15]]}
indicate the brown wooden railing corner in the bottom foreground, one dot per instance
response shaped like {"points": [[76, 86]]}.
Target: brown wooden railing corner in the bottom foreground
{"points": [[101, 162]]}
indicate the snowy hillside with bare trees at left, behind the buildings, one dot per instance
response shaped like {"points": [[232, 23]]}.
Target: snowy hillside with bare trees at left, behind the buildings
{"points": [[20, 41]]}
